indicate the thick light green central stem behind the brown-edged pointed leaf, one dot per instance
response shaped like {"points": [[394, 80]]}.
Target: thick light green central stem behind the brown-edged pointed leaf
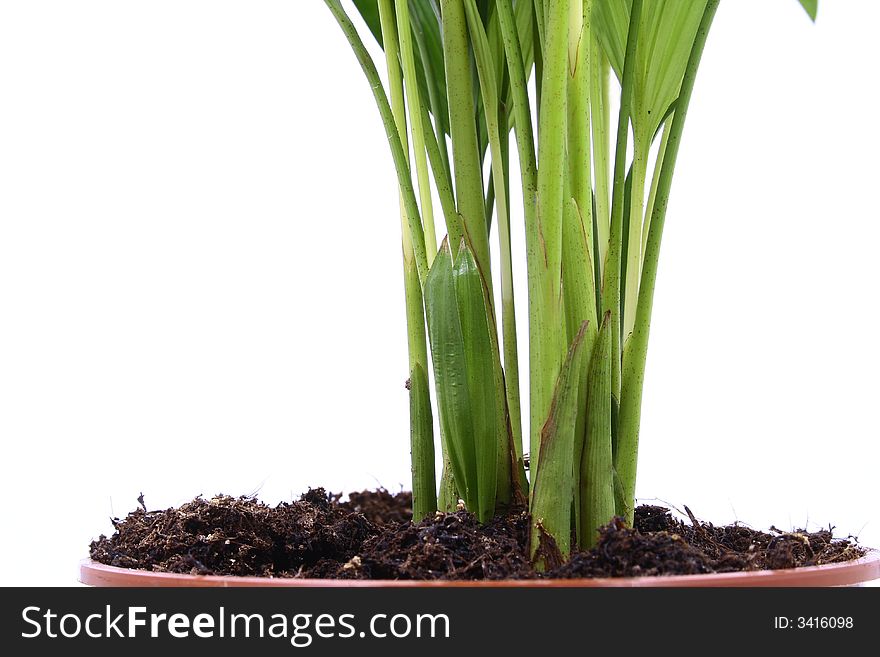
{"points": [[547, 334]]}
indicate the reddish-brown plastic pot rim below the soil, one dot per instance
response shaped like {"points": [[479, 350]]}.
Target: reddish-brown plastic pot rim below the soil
{"points": [[849, 573]]}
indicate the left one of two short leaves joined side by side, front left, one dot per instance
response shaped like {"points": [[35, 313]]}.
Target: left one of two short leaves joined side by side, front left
{"points": [[450, 374]]}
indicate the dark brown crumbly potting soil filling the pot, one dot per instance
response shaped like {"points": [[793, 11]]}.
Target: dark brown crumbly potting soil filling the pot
{"points": [[370, 536]]}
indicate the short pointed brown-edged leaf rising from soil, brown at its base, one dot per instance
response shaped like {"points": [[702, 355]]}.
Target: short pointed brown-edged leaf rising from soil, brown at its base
{"points": [[552, 491]]}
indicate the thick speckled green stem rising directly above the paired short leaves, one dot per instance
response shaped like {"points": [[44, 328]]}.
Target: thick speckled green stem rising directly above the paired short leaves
{"points": [[465, 149]]}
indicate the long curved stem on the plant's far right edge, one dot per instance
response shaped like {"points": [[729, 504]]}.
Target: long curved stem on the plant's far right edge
{"points": [[626, 456]]}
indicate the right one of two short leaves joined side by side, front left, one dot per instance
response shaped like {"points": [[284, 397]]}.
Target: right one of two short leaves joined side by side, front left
{"points": [[480, 360]]}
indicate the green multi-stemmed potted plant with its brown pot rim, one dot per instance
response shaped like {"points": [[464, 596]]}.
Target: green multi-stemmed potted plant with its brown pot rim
{"points": [[594, 202]]}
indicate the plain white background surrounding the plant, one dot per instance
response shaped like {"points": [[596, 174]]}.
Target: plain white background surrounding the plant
{"points": [[200, 277]]}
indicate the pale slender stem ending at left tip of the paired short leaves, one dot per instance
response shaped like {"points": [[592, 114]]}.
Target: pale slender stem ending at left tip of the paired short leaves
{"points": [[414, 104]]}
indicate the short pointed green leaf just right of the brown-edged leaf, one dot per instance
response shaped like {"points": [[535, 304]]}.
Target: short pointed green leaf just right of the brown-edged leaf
{"points": [[596, 489]]}
